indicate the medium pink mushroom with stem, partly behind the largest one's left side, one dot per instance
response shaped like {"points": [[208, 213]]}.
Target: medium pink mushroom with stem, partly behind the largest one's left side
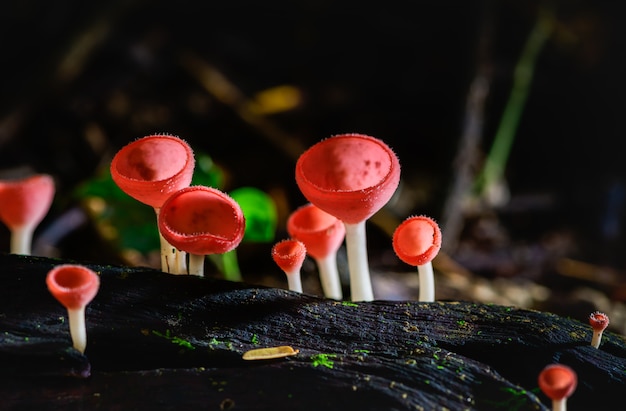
{"points": [[322, 234]]}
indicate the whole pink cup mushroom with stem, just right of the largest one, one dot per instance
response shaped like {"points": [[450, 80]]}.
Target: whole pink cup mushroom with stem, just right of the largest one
{"points": [[416, 241]]}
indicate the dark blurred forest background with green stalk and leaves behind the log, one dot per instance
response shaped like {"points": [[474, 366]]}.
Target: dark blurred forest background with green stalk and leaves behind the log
{"points": [[506, 117]]}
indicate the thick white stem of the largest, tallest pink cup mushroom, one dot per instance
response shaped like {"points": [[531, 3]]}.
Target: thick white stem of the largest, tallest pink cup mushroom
{"points": [[356, 245]]}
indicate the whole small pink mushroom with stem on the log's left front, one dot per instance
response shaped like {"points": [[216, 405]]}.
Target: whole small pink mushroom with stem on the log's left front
{"points": [[74, 286]]}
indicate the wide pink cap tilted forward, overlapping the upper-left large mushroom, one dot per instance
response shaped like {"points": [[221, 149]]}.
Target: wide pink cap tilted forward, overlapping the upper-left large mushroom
{"points": [[202, 220]]}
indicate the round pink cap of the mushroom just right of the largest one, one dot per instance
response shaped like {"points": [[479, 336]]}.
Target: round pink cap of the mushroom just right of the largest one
{"points": [[417, 240]]}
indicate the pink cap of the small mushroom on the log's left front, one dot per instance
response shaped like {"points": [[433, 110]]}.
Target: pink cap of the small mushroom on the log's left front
{"points": [[73, 285]]}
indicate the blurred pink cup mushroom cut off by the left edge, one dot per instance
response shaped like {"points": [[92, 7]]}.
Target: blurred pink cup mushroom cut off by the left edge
{"points": [[24, 203]]}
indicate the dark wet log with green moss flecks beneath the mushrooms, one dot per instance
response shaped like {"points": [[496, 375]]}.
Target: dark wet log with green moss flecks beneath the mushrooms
{"points": [[158, 341]]}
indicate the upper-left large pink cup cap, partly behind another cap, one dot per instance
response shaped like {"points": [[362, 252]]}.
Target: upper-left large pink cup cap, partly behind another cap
{"points": [[153, 167]]}
